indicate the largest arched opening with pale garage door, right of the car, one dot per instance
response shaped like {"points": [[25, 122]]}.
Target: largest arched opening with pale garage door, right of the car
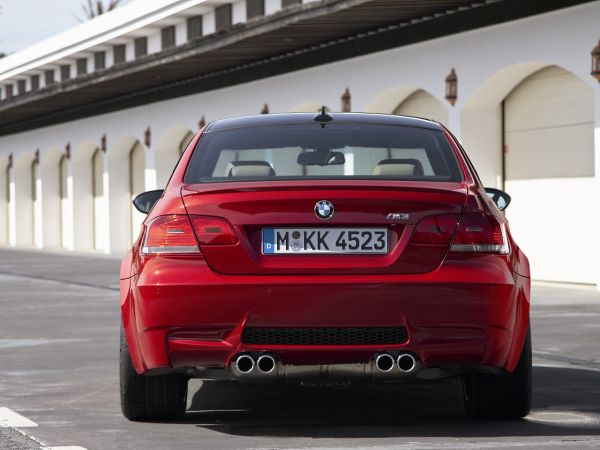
{"points": [[549, 172]]}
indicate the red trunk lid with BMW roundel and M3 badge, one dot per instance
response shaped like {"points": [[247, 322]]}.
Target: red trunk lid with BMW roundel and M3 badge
{"points": [[252, 206]]}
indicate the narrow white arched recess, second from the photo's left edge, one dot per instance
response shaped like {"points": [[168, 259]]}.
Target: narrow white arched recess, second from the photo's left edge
{"points": [[22, 199]]}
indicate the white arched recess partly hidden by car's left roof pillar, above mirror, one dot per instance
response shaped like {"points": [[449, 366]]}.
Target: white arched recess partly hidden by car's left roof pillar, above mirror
{"points": [[168, 151]]}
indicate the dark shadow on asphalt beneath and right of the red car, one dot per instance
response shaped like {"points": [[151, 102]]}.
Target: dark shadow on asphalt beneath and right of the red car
{"points": [[566, 403]]}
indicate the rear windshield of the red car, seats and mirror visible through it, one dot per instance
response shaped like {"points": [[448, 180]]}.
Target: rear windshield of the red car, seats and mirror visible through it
{"points": [[311, 151]]}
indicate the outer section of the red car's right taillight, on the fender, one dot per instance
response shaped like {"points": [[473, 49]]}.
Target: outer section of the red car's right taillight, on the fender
{"points": [[480, 233]]}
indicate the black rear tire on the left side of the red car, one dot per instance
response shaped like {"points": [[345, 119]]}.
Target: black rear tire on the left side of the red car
{"points": [[156, 397]]}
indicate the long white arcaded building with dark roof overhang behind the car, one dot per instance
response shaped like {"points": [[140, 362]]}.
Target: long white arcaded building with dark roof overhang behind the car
{"points": [[100, 113]]}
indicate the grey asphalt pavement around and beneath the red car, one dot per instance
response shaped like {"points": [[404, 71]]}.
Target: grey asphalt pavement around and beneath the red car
{"points": [[59, 328]]}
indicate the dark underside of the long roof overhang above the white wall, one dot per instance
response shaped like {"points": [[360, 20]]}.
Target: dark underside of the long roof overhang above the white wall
{"points": [[304, 36]]}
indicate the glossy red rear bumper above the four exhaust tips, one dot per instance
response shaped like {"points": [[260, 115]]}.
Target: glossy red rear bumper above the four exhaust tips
{"points": [[178, 313]]}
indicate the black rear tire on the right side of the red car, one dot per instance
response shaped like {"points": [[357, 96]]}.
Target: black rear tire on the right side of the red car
{"points": [[504, 396]]}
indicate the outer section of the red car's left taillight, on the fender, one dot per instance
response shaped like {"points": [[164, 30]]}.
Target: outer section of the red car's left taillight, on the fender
{"points": [[170, 235]]}
